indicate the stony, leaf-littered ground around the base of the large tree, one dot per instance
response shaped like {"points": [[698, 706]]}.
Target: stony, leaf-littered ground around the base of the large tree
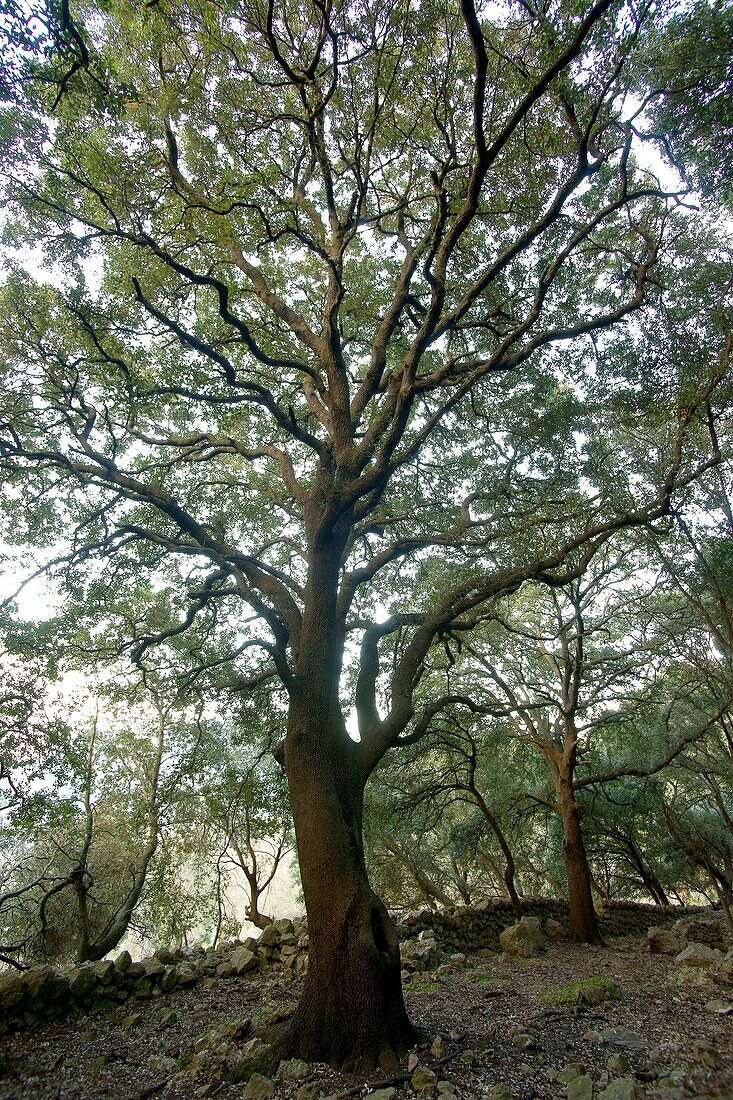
{"points": [[499, 1028]]}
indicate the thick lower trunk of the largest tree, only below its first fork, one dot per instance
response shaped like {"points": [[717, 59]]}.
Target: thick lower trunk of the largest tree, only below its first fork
{"points": [[352, 1013]]}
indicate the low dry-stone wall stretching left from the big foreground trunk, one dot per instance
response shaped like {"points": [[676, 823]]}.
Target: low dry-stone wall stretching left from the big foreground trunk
{"points": [[47, 993]]}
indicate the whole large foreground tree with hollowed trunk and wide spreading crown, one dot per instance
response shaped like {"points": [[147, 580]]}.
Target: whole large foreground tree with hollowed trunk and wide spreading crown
{"points": [[337, 348]]}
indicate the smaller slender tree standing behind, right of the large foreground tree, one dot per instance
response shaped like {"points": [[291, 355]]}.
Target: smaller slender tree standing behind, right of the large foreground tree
{"points": [[571, 672]]}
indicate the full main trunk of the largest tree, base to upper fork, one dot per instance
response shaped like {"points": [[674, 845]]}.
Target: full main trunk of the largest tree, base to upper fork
{"points": [[352, 1013]]}
